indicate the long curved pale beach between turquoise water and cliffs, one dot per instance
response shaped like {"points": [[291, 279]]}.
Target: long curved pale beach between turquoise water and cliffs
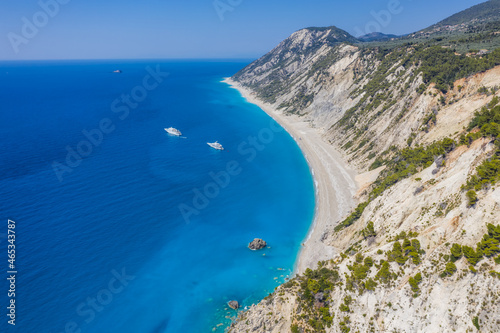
{"points": [[334, 181]]}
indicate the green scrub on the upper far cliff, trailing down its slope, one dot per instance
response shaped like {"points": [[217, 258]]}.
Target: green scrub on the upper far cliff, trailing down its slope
{"points": [[438, 65]]}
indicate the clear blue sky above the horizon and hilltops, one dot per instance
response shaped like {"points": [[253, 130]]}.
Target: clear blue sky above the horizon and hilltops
{"points": [[92, 29]]}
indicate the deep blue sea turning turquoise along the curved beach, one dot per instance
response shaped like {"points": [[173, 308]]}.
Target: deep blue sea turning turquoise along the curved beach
{"points": [[121, 227]]}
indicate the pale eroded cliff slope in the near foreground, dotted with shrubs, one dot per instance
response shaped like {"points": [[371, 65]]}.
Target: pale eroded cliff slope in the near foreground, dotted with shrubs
{"points": [[430, 207]]}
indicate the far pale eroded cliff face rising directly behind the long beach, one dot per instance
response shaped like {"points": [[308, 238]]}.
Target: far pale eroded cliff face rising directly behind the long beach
{"points": [[326, 83]]}
